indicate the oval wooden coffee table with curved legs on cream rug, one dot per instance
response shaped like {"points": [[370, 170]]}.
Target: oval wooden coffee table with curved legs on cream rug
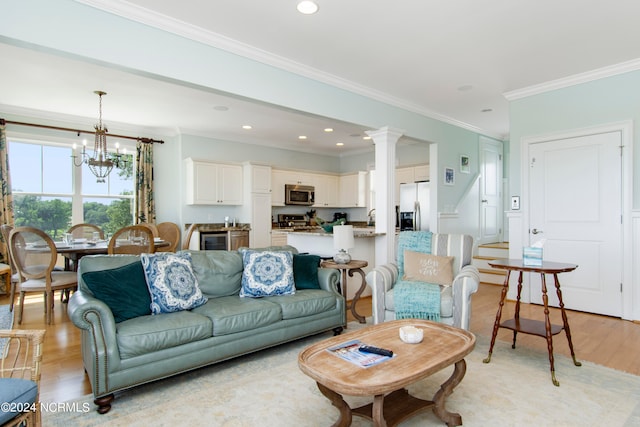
{"points": [[442, 346]]}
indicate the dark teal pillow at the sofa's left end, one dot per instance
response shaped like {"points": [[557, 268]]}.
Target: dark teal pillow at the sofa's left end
{"points": [[123, 289]]}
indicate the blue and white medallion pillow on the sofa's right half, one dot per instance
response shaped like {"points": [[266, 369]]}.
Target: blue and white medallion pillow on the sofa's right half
{"points": [[267, 273]]}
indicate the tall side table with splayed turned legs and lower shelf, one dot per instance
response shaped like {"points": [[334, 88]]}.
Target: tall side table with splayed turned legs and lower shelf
{"points": [[533, 327]]}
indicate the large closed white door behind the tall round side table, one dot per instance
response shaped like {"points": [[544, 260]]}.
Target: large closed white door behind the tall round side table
{"points": [[576, 205]]}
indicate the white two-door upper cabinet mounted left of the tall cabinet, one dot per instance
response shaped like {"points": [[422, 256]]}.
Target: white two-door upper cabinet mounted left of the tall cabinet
{"points": [[213, 183]]}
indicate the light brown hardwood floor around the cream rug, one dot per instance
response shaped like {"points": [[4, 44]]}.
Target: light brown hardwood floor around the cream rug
{"points": [[599, 339]]}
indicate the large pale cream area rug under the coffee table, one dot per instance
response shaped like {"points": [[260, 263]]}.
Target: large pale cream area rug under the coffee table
{"points": [[268, 389]]}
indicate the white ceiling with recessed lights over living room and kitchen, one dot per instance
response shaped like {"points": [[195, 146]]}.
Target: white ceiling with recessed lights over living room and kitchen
{"points": [[449, 59]]}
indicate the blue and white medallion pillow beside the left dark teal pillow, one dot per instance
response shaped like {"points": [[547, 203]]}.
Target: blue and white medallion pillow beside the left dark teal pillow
{"points": [[171, 282]]}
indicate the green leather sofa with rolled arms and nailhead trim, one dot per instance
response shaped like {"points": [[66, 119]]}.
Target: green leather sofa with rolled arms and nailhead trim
{"points": [[139, 350]]}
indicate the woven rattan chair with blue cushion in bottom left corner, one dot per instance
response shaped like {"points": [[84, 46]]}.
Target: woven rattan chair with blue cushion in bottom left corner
{"points": [[20, 373]]}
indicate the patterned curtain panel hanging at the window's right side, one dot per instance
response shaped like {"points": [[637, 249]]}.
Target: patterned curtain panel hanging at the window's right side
{"points": [[145, 203]]}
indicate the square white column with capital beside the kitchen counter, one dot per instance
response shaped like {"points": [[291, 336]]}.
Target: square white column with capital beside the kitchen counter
{"points": [[385, 140]]}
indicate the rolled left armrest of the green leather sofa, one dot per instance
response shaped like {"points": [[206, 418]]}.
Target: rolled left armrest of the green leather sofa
{"points": [[98, 326]]}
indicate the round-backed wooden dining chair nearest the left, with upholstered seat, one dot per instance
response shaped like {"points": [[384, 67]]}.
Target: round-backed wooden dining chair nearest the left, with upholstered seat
{"points": [[35, 256]]}
